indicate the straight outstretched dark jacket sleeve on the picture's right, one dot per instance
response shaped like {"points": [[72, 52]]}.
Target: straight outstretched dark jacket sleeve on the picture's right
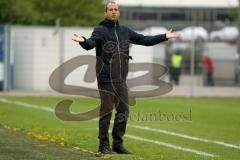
{"points": [[140, 39]]}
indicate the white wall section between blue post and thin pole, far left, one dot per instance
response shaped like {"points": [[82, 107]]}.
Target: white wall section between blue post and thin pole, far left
{"points": [[36, 54]]}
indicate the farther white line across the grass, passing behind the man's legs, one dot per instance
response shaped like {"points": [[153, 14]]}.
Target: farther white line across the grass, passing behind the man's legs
{"points": [[45, 108]]}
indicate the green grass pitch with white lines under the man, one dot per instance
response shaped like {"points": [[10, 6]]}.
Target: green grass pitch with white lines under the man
{"points": [[158, 128]]}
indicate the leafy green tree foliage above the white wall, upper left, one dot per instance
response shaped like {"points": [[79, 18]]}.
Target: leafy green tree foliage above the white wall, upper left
{"points": [[45, 12]]}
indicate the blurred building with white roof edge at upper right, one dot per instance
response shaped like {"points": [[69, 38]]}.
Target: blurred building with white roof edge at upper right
{"points": [[178, 14]]}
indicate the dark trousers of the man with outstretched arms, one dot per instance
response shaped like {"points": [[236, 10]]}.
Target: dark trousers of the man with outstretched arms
{"points": [[113, 94]]}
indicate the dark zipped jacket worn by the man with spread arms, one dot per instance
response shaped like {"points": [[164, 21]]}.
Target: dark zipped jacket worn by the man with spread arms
{"points": [[112, 42]]}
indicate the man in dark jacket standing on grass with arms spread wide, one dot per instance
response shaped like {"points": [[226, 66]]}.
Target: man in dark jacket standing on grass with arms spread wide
{"points": [[112, 51]]}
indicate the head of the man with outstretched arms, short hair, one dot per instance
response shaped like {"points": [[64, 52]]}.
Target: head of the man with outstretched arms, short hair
{"points": [[112, 12]]}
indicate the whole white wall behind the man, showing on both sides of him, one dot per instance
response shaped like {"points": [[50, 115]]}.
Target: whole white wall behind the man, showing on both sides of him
{"points": [[38, 51]]}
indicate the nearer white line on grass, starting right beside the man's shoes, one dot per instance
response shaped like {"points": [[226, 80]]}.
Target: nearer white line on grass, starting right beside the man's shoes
{"points": [[171, 146]]}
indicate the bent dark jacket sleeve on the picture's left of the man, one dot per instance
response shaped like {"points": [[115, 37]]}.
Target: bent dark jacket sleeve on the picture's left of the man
{"points": [[91, 42]]}
